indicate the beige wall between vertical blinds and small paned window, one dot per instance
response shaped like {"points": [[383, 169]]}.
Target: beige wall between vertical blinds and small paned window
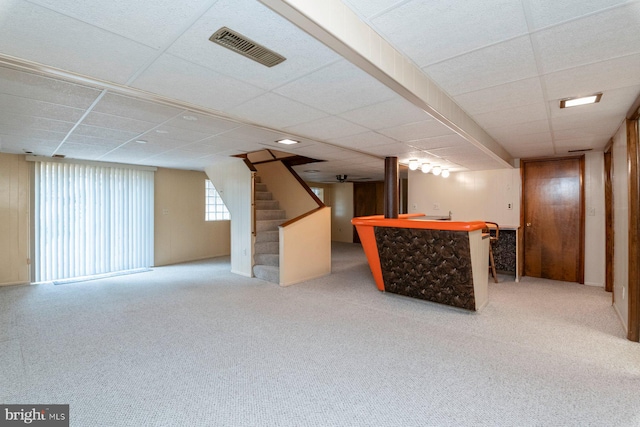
{"points": [[181, 232]]}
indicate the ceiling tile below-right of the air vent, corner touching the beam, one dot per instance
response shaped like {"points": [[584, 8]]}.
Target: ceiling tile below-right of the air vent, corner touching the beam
{"points": [[337, 88]]}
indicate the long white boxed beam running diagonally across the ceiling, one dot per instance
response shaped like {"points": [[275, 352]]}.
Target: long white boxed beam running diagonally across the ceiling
{"points": [[333, 23]]}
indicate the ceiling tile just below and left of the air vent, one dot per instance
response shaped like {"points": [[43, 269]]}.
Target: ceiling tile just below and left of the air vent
{"points": [[179, 79]]}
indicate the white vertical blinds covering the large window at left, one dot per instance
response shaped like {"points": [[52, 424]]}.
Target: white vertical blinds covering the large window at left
{"points": [[91, 220]]}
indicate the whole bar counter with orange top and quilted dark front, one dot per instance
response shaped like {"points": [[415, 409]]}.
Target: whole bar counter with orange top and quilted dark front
{"points": [[440, 261]]}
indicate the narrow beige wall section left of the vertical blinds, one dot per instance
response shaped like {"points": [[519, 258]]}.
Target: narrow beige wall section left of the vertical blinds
{"points": [[14, 219]]}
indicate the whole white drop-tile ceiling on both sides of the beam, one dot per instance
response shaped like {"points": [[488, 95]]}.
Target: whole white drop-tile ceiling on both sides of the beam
{"points": [[506, 63]]}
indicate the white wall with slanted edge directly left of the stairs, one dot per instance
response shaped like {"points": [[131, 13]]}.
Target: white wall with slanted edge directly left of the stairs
{"points": [[232, 179]]}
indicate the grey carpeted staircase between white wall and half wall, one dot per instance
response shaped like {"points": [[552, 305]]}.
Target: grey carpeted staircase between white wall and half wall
{"points": [[267, 246]]}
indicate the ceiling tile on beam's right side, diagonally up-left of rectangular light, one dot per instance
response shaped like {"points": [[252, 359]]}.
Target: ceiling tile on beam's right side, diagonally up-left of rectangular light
{"points": [[501, 63]]}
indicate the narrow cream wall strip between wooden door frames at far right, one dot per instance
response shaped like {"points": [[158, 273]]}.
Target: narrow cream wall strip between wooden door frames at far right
{"points": [[620, 186]]}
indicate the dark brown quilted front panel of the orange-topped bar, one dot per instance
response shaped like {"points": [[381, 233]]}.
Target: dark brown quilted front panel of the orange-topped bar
{"points": [[433, 265]]}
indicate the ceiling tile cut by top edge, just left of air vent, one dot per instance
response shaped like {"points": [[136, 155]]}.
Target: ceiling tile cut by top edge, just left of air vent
{"points": [[162, 20]]}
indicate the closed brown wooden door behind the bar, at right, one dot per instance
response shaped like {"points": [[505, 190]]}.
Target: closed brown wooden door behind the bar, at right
{"points": [[553, 210]]}
